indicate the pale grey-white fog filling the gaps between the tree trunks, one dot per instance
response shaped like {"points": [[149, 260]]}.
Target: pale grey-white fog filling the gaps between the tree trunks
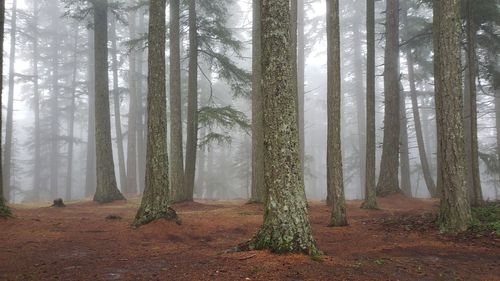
{"points": [[56, 102]]}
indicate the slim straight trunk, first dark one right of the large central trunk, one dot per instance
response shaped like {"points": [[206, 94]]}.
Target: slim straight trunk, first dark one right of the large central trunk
{"points": [[335, 179]]}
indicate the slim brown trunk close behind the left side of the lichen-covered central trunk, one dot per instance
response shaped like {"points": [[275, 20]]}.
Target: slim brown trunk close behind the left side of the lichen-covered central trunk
{"points": [[258, 191]]}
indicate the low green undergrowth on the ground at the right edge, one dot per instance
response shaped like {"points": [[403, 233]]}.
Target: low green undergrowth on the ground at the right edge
{"points": [[486, 218]]}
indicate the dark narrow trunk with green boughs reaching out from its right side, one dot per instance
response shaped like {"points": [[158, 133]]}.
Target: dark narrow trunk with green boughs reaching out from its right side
{"points": [[192, 110]]}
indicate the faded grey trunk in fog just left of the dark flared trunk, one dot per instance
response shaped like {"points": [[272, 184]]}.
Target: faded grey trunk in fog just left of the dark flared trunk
{"points": [[90, 177]]}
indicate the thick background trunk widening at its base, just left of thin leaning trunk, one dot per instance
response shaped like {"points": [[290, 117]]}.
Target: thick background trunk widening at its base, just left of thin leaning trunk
{"points": [[388, 179]]}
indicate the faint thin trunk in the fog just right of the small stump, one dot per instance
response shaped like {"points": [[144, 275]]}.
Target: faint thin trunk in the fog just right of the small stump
{"points": [[71, 121]]}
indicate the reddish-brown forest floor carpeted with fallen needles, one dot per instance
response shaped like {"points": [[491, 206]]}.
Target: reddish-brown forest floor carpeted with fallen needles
{"points": [[79, 242]]}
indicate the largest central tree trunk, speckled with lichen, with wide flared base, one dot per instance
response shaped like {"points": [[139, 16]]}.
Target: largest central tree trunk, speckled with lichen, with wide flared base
{"points": [[286, 225]]}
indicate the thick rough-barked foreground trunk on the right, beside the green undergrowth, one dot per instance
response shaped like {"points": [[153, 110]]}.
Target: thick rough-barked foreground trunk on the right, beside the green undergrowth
{"points": [[454, 213]]}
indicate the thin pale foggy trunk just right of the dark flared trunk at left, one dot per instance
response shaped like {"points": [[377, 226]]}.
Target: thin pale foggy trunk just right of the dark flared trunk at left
{"points": [[116, 103]]}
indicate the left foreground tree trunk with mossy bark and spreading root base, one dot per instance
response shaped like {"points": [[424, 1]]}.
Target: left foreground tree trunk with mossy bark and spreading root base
{"points": [[154, 204]]}
